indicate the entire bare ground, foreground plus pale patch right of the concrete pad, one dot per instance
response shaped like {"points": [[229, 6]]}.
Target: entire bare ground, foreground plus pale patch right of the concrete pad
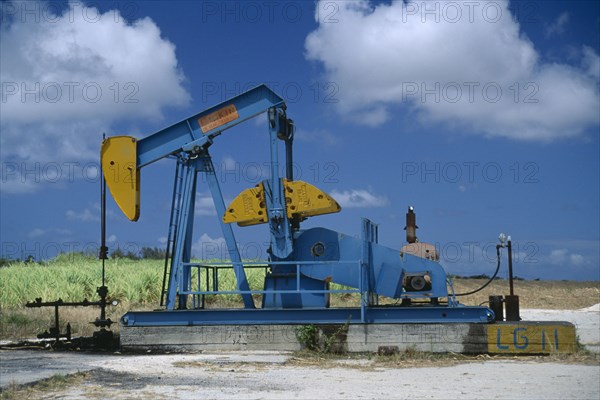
{"points": [[276, 375]]}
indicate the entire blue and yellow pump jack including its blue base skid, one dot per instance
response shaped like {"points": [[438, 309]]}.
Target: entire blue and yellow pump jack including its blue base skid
{"points": [[301, 264]]}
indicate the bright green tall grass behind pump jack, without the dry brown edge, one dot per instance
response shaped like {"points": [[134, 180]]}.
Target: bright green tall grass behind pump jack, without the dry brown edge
{"points": [[73, 277]]}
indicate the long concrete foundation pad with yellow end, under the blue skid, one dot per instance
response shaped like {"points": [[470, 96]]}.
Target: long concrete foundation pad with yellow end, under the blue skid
{"points": [[503, 337]]}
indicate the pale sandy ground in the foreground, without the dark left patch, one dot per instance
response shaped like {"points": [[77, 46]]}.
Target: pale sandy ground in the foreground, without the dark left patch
{"points": [[269, 376]]}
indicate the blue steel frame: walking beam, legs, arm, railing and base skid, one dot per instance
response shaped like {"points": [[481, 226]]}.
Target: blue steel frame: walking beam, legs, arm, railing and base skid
{"points": [[190, 145]]}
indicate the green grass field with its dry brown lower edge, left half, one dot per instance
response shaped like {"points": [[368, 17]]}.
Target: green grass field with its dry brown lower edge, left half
{"points": [[136, 284]]}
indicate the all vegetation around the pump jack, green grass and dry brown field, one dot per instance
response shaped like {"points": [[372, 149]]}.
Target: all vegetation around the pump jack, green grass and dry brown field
{"points": [[136, 284]]}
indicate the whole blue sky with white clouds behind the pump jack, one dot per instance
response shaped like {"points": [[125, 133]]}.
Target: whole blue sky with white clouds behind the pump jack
{"points": [[484, 116]]}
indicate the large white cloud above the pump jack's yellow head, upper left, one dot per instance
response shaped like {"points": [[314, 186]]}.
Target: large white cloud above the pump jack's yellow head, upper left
{"points": [[70, 77]]}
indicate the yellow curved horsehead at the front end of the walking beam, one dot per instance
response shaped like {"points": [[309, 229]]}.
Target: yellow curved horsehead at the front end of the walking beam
{"points": [[119, 165]]}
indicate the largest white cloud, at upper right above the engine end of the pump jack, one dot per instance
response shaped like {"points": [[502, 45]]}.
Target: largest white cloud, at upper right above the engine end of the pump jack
{"points": [[471, 69]]}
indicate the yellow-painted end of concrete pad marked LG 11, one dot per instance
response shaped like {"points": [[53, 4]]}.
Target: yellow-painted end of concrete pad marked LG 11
{"points": [[531, 337]]}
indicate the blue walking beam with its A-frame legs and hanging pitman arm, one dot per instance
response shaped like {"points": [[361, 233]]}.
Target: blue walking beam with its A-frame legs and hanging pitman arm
{"points": [[189, 144]]}
